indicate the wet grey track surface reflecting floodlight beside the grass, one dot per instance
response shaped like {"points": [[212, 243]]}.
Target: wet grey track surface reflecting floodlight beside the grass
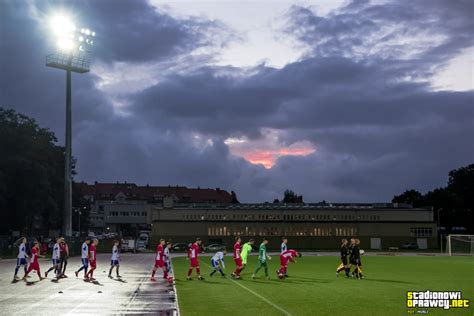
{"points": [[133, 294]]}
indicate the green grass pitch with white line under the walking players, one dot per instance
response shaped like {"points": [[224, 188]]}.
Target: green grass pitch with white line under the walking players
{"points": [[313, 289]]}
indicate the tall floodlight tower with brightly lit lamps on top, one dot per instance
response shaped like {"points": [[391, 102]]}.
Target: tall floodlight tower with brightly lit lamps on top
{"points": [[72, 49]]}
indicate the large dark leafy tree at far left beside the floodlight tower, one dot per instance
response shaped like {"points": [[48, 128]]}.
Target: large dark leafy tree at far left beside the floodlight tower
{"points": [[31, 175]]}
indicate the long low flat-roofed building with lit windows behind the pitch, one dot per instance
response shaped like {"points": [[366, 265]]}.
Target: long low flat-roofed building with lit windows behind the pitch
{"points": [[307, 226]]}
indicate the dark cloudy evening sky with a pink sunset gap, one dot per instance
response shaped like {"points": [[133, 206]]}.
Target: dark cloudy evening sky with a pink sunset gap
{"points": [[337, 100]]}
